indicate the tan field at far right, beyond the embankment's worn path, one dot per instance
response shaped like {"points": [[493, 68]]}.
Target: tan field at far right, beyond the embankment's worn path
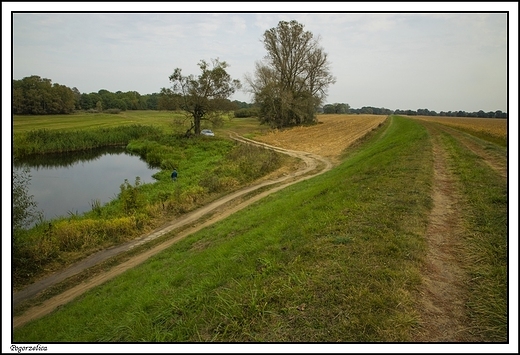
{"points": [[493, 128]]}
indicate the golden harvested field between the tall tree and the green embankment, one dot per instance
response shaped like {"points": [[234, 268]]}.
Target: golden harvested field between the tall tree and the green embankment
{"points": [[329, 138]]}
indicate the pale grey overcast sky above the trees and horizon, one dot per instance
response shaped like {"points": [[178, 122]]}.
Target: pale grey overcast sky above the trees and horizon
{"points": [[439, 61]]}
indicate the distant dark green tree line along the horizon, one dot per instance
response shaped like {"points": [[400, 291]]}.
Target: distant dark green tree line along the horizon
{"points": [[34, 95]]}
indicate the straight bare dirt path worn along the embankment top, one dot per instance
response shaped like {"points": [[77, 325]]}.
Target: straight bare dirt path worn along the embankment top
{"points": [[443, 296]]}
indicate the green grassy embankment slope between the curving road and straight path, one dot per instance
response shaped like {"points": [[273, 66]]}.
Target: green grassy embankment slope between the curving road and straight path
{"points": [[331, 259]]}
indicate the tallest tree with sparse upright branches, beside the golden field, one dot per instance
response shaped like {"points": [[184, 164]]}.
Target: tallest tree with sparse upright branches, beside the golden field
{"points": [[291, 83]]}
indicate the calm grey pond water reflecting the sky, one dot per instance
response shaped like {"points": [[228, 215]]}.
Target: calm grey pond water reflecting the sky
{"points": [[68, 183]]}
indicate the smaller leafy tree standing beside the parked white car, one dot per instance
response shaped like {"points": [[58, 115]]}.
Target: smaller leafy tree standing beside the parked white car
{"points": [[206, 96]]}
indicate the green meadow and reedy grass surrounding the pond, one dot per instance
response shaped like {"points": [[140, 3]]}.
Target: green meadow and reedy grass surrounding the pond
{"points": [[208, 166]]}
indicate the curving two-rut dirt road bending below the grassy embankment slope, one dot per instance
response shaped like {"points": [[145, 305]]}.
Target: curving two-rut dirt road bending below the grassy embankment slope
{"points": [[314, 165]]}
